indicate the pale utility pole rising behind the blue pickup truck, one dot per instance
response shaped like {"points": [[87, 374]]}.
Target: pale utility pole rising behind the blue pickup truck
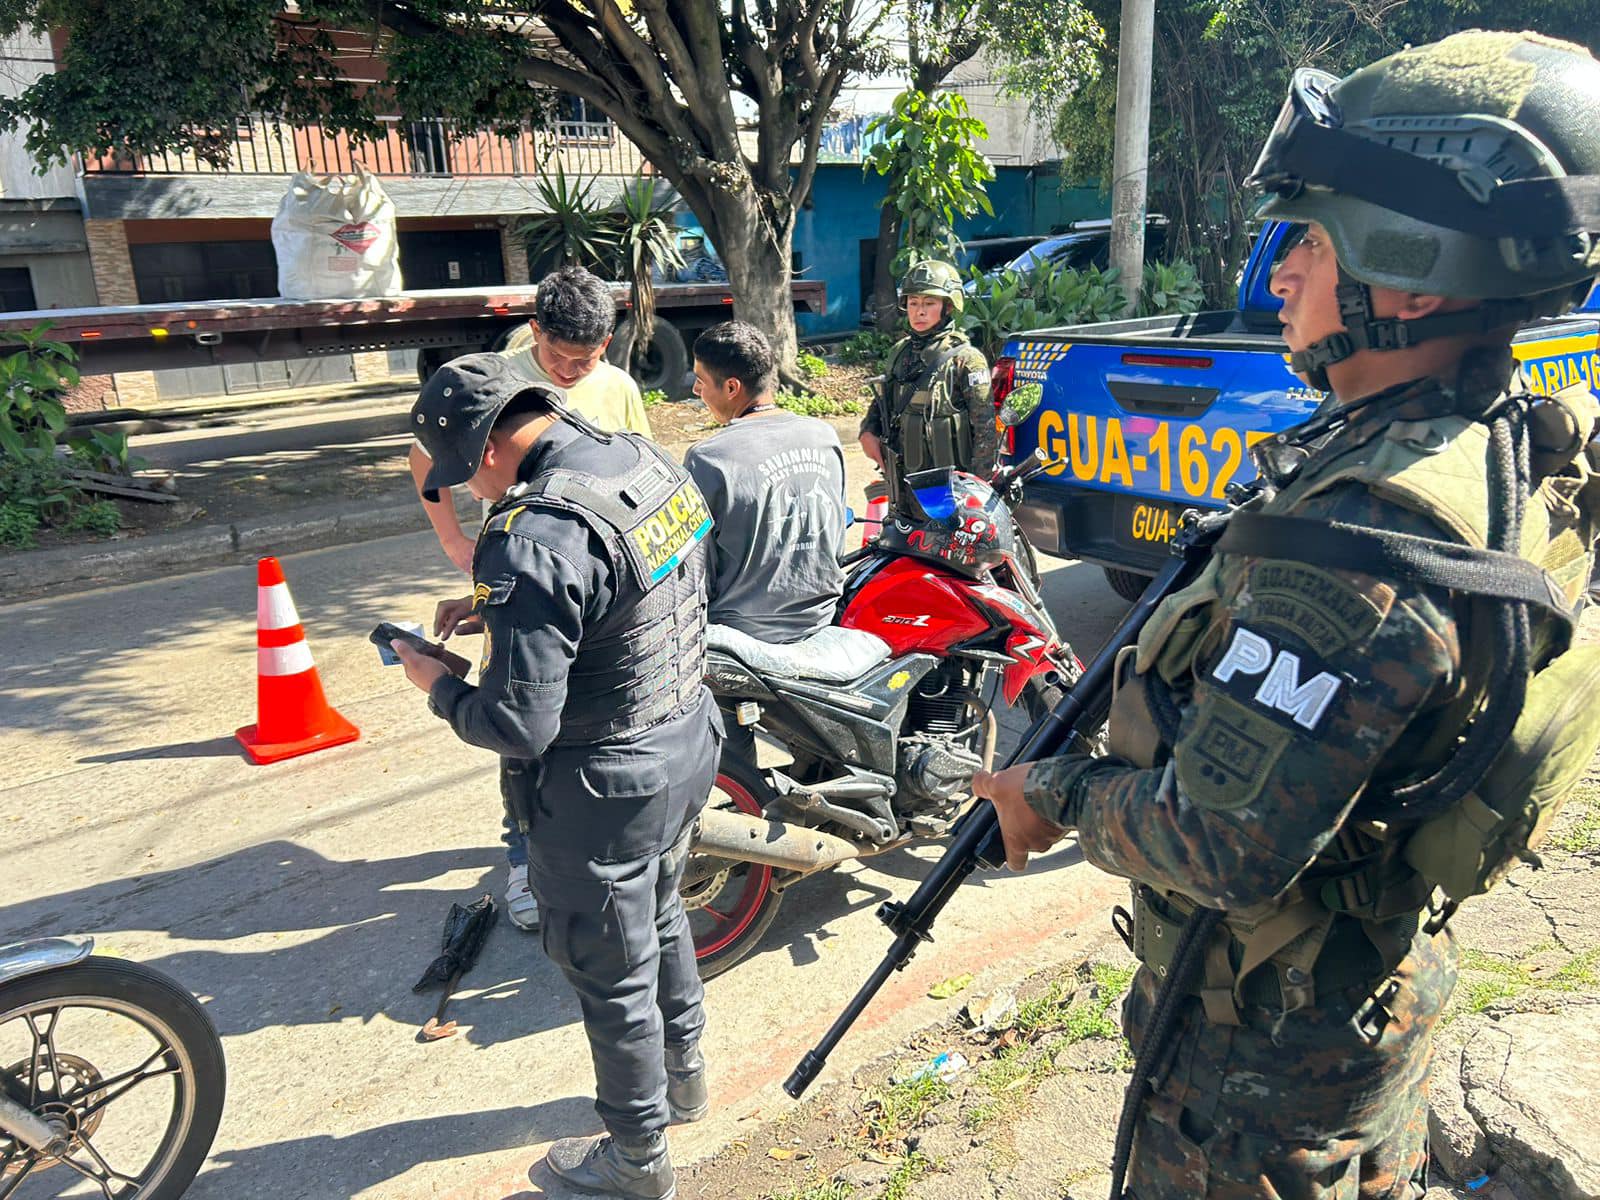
{"points": [[1132, 159]]}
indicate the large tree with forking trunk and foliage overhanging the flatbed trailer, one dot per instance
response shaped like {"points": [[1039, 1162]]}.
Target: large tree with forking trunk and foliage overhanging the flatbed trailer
{"points": [[665, 71]]}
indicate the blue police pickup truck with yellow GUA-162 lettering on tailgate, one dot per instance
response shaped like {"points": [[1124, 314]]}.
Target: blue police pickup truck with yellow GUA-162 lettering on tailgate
{"points": [[1153, 417]]}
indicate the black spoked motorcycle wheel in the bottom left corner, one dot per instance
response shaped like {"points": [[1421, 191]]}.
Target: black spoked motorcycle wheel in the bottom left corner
{"points": [[114, 1012]]}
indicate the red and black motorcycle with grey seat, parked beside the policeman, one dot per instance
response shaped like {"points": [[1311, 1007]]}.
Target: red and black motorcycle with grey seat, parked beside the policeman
{"points": [[884, 716]]}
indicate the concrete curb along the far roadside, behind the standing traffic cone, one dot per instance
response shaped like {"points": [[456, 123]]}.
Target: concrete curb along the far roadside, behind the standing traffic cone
{"points": [[68, 569]]}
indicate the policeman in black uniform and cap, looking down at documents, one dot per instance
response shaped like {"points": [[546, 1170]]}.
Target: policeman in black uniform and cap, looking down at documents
{"points": [[590, 585]]}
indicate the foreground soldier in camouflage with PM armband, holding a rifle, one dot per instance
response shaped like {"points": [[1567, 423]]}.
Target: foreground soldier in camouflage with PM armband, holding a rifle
{"points": [[1303, 743]]}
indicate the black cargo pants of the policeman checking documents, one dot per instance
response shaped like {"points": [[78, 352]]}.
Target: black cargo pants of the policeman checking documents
{"points": [[612, 921]]}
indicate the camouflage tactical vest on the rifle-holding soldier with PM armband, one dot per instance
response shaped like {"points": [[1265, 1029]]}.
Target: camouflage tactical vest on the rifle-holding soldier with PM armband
{"points": [[1378, 871]]}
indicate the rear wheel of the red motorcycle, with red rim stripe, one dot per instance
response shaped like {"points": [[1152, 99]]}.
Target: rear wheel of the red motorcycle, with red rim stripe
{"points": [[730, 905]]}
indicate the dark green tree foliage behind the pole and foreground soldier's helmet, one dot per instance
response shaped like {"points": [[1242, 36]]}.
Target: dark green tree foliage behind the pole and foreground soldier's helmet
{"points": [[1220, 74]]}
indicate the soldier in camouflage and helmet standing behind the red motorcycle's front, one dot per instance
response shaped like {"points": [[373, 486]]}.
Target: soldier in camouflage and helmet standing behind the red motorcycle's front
{"points": [[934, 407]]}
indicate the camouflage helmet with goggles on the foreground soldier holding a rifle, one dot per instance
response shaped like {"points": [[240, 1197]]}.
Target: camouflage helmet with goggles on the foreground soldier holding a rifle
{"points": [[1468, 167]]}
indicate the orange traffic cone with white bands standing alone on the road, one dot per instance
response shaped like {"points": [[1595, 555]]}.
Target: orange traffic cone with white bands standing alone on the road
{"points": [[292, 714]]}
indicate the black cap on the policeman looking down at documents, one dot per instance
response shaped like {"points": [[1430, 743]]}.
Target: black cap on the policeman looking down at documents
{"points": [[458, 407]]}
